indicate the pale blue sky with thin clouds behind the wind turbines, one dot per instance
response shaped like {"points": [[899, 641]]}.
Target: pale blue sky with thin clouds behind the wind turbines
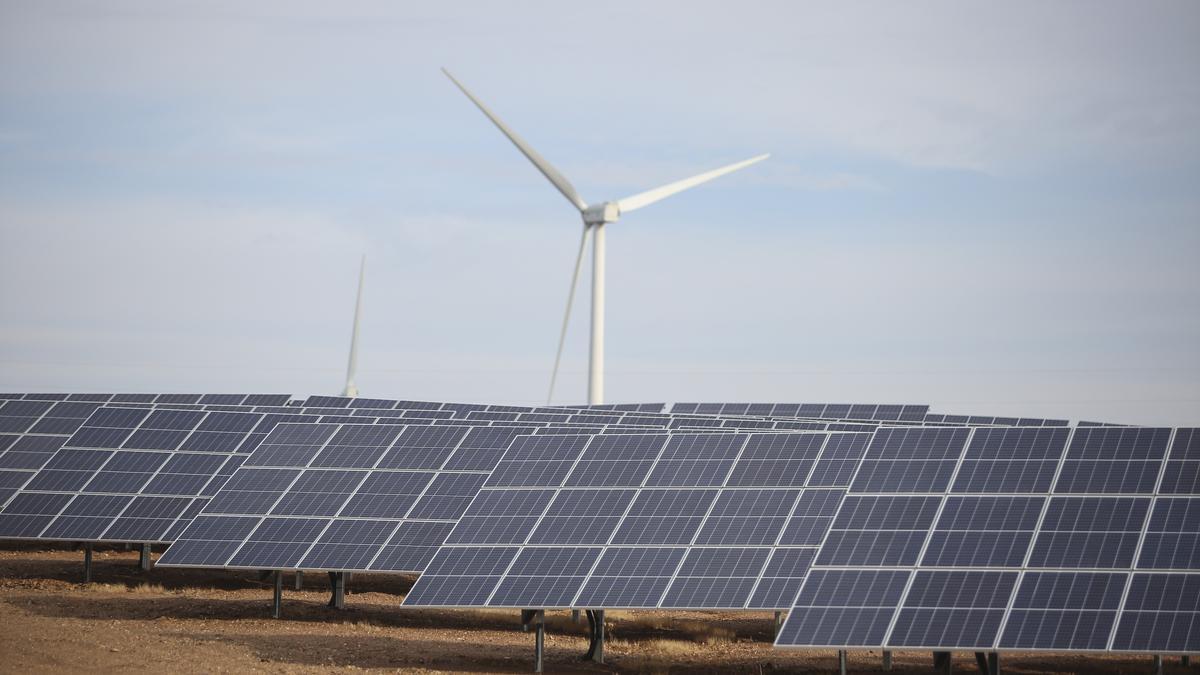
{"points": [[988, 207]]}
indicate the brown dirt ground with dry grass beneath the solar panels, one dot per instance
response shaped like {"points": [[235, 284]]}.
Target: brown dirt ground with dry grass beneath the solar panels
{"points": [[201, 622]]}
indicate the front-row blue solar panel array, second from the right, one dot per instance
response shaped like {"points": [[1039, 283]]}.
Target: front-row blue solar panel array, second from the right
{"points": [[682, 521]]}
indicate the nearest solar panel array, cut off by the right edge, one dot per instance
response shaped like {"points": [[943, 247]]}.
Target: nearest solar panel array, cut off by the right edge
{"points": [[986, 540]]}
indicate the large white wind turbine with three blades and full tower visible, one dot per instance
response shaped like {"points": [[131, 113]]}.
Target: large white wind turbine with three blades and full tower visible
{"points": [[596, 217]]}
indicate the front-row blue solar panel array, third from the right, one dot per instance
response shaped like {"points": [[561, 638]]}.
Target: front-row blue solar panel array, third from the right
{"points": [[353, 498]]}
